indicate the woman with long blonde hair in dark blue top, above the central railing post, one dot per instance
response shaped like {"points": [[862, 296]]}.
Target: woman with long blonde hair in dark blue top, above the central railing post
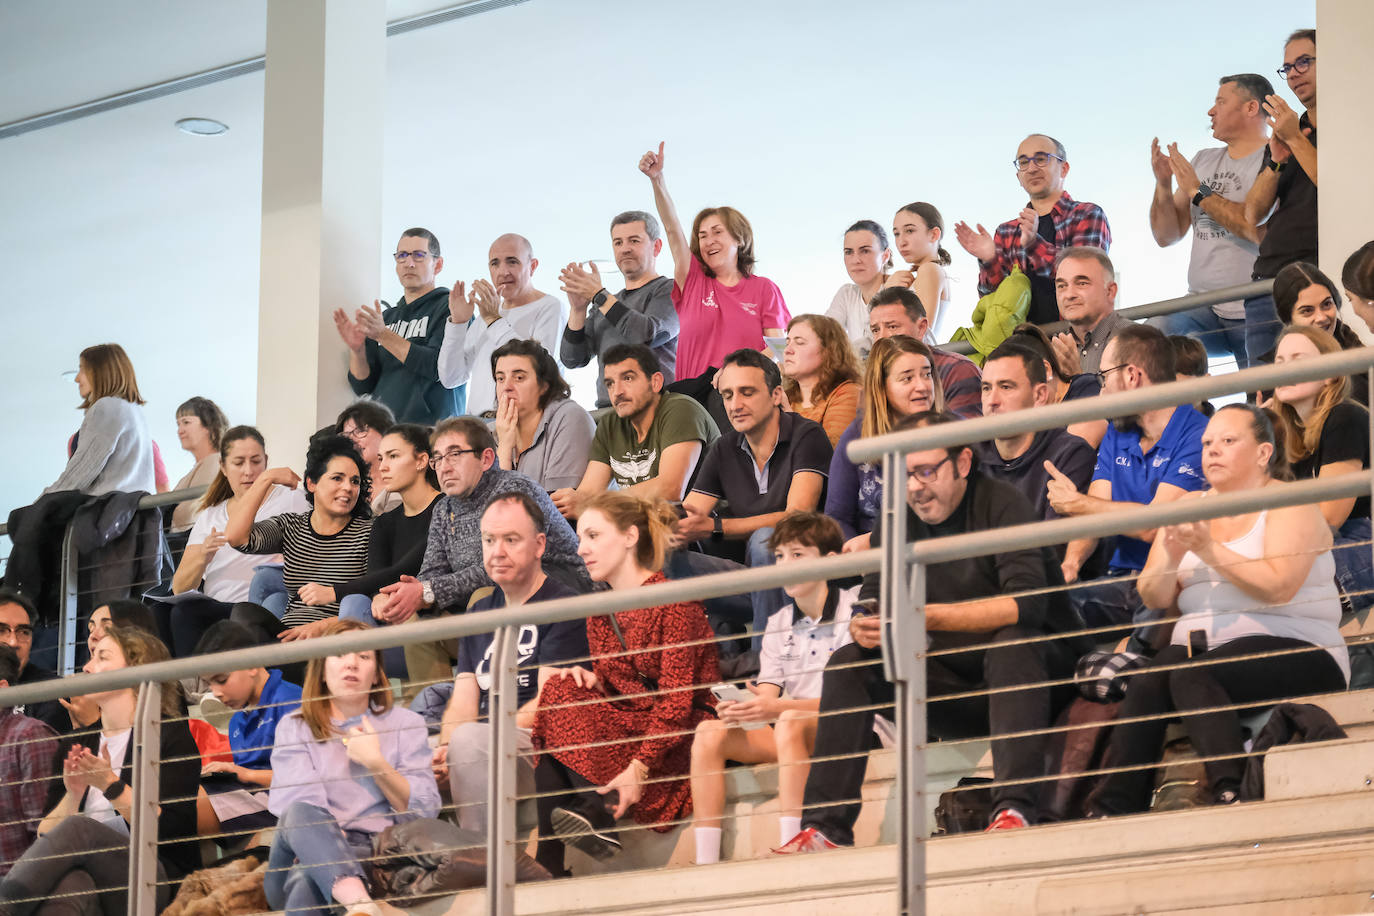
{"points": [[899, 382]]}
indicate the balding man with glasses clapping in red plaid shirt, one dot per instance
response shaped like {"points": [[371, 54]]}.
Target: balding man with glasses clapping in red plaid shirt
{"points": [[1050, 222]]}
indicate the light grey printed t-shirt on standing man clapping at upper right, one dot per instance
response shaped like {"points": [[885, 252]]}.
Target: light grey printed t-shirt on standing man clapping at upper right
{"points": [[1219, 259]]}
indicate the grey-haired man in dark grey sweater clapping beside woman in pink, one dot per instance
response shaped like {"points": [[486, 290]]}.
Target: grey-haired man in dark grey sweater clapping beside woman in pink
{"points": [[640, 314]]}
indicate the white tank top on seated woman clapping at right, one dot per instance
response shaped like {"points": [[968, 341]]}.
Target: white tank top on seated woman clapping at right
{"points": [[1211, 604]]}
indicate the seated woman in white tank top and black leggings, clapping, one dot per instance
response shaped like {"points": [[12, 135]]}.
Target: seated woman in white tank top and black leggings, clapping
{"points": [[1258, 609]]}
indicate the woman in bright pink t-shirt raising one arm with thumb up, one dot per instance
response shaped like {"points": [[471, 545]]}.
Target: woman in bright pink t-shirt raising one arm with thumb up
{"points": [[722, 306]]}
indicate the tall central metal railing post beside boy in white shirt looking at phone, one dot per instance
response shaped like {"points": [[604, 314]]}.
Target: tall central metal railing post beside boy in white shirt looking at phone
{"points": [[903, 631]]}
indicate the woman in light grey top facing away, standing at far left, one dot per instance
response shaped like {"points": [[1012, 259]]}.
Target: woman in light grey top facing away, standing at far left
{"points": [[113, 448]]}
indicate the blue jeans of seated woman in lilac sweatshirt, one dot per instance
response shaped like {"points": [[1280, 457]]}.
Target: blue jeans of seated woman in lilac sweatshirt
{"points": [[310, 854]]}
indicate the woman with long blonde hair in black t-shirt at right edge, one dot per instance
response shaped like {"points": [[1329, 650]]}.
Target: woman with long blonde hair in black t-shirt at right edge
{"points": [[1328, 435]]}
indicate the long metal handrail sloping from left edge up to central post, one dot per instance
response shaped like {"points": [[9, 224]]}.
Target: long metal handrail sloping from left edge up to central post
{"points": [[451, 627]]}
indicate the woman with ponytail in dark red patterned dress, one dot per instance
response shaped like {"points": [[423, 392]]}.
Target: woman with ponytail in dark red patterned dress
{"points": [[651, 668]]}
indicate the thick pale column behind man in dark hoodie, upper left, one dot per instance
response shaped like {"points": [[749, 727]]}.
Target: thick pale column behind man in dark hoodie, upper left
{"points": [[322, 207]]}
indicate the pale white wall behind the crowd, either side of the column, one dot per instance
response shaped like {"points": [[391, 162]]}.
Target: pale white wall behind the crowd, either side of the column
{"points": [[804, 115]]}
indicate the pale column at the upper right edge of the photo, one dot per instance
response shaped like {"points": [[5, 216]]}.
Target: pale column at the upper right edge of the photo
{"points": [[1346, 134]]}
